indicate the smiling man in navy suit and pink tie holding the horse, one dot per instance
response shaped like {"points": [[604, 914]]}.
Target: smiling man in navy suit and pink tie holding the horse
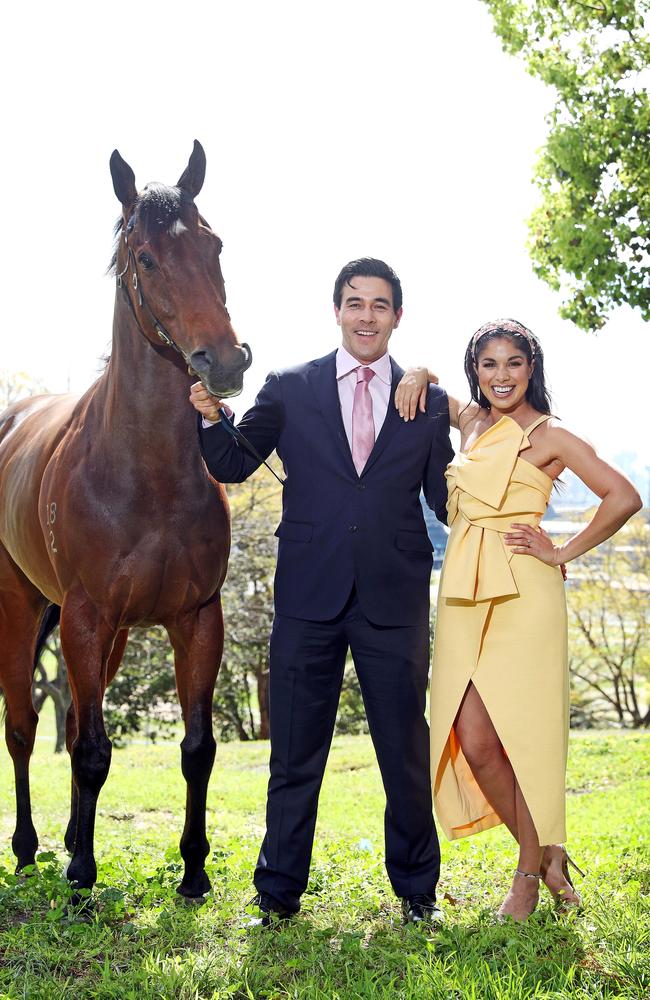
{"points": [[353, 569]]}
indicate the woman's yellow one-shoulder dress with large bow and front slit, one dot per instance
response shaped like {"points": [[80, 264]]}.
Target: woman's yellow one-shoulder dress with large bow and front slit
{"points": [[501, 625]]}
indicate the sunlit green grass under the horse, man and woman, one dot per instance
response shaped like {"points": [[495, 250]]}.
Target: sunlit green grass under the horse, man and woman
{"points": [[141, 941]]}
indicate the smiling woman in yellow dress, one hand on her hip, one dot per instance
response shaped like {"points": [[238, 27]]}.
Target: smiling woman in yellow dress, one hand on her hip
{"points": [[499, 683]]}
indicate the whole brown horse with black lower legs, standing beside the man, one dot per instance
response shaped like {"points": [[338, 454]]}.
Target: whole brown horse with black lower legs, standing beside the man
{"points": [[108, 513]]}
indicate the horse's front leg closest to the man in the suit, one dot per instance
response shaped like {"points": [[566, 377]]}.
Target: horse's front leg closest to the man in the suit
{"points": [[198, 644]]}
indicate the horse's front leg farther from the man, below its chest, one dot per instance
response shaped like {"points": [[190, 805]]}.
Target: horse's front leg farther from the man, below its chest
{"points": [[87, 642]]}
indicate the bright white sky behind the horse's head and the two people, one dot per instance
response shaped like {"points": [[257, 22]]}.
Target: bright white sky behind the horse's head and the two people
{"points": [[356, 128]]}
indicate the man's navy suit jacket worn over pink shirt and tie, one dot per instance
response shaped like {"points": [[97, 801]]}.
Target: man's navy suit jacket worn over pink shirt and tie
{"points": [[339, 529]]}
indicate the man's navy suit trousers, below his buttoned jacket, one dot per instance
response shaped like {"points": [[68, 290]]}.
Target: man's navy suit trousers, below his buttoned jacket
{"points": [[307, 659]]}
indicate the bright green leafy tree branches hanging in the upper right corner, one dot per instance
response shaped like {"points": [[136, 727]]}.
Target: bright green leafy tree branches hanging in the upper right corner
{"points": [[589, 235]]}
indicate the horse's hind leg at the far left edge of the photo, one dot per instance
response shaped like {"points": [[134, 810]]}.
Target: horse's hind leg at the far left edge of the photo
{"points": [[21, 607]]}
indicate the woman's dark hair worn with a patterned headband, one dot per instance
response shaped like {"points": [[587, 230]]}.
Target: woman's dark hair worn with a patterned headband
{"points": [[536, 394]]}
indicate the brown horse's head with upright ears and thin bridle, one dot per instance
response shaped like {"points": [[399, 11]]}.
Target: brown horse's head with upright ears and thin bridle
{"points": [[167, 259]]}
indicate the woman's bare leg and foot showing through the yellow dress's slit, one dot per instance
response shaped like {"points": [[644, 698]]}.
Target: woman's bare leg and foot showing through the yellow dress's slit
{"points": [[496, 779]]}
